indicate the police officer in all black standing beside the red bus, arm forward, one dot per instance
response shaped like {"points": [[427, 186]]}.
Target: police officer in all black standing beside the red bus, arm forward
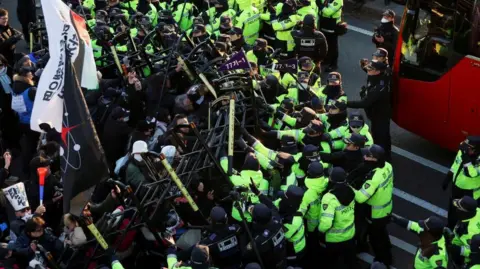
{"points": [[376, 103]]}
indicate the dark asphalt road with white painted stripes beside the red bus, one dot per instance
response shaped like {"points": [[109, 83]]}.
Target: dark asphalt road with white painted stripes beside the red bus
{"points": [[419, 166]]}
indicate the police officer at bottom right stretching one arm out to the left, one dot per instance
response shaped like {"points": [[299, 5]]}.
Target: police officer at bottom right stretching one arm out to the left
{"points": [[432, 252]]}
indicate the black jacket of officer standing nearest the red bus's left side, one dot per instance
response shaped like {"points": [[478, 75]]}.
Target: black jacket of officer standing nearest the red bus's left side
{"points": [[376, 101]]}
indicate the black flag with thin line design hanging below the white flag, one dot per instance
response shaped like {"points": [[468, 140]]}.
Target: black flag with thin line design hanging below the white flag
{"points": [[83, 161]]}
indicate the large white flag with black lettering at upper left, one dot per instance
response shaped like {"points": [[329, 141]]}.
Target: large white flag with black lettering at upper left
{"points": [[61, 30]]}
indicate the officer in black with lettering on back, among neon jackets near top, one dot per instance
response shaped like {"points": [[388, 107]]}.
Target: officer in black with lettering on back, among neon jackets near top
{"points": [[310, 42]]}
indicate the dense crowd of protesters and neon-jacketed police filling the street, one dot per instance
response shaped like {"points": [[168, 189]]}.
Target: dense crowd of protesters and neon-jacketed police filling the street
{"points": [[312, 183]]}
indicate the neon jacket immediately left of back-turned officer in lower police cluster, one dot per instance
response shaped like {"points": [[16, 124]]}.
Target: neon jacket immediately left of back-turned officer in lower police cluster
{"points": [[311, 202]]}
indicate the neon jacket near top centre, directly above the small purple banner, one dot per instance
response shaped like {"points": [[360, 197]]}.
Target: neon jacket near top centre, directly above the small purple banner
{"points": [[249, 21]]}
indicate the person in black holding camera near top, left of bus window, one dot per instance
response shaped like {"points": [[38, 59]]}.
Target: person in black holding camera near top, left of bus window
{"points": [[385, 36]]}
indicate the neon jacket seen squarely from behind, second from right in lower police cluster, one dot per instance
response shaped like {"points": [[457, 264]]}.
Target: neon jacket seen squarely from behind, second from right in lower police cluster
{"points": [[336, 220]]}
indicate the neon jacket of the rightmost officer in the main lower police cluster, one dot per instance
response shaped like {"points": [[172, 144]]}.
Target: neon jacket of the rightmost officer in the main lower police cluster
{"points": [[377, 191]]}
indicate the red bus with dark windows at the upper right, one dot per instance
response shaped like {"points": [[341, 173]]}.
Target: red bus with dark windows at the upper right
{"points": [[436, 78]]}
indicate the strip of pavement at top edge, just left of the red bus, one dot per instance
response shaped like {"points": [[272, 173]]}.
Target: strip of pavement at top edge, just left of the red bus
{"points": [[374, 8]]}
